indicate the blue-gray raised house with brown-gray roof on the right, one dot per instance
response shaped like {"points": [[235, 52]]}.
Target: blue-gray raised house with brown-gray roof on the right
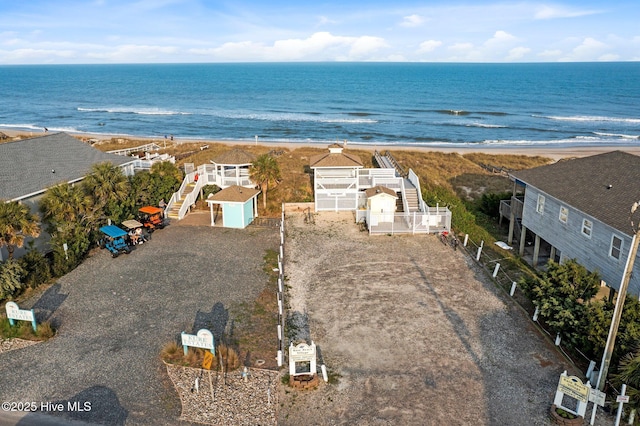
{"points": [[578, 209]]}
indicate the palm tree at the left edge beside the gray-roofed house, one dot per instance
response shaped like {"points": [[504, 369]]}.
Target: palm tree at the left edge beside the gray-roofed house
{"points": [[16, 223]]}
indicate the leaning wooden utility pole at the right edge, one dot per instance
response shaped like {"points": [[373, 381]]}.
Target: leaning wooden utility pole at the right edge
{"points": [[617, 312]]}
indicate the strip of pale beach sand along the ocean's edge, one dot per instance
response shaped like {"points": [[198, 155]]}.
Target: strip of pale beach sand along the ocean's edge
{"points": [[552, 152]]}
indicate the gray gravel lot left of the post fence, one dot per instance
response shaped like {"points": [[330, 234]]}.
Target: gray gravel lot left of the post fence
{"points": [[114, 316]]}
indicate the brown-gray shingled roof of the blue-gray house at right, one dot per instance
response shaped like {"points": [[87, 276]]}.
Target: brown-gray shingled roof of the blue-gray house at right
{"points": [[583, 183]]}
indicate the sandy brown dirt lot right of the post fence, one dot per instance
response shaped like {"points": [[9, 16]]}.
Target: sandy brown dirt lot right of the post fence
{"points": [[413, 331]]}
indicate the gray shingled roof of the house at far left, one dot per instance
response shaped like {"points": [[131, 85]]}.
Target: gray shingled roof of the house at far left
{"points": [[26, 165]]}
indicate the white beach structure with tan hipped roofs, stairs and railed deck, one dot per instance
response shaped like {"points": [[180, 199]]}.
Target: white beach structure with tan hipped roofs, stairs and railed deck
{"points": [[386, 198]]}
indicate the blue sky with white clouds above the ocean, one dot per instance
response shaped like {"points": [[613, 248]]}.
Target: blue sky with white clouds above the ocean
{"points": [[200, 31]]}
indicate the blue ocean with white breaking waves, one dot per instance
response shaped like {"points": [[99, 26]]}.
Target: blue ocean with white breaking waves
{"points": [[415, 104]]}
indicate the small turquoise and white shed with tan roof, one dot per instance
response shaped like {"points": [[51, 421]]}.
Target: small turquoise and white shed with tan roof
{"points": [[238, 205]]}
